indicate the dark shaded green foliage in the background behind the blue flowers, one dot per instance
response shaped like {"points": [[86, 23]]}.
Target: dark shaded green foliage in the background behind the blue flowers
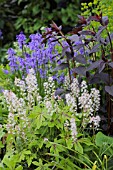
{"points": [[29, 16]]}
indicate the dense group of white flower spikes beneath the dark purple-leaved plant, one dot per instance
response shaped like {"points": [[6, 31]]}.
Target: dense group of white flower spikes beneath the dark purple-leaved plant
{"points": [[80, 98]]}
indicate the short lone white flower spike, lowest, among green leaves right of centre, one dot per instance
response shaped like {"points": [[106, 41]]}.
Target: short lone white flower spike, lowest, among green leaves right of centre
{"points": [[73, 129]]}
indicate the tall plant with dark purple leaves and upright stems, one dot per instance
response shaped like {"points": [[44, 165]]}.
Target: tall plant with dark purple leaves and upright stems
{"points": [[96, 60]]}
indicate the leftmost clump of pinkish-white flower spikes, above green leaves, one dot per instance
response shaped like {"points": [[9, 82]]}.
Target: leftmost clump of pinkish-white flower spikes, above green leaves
{"points": [[17, 111]]}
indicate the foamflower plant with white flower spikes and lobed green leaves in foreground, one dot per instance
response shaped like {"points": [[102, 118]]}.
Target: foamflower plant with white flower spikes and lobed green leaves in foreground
{"points": [[43, 133]]}
